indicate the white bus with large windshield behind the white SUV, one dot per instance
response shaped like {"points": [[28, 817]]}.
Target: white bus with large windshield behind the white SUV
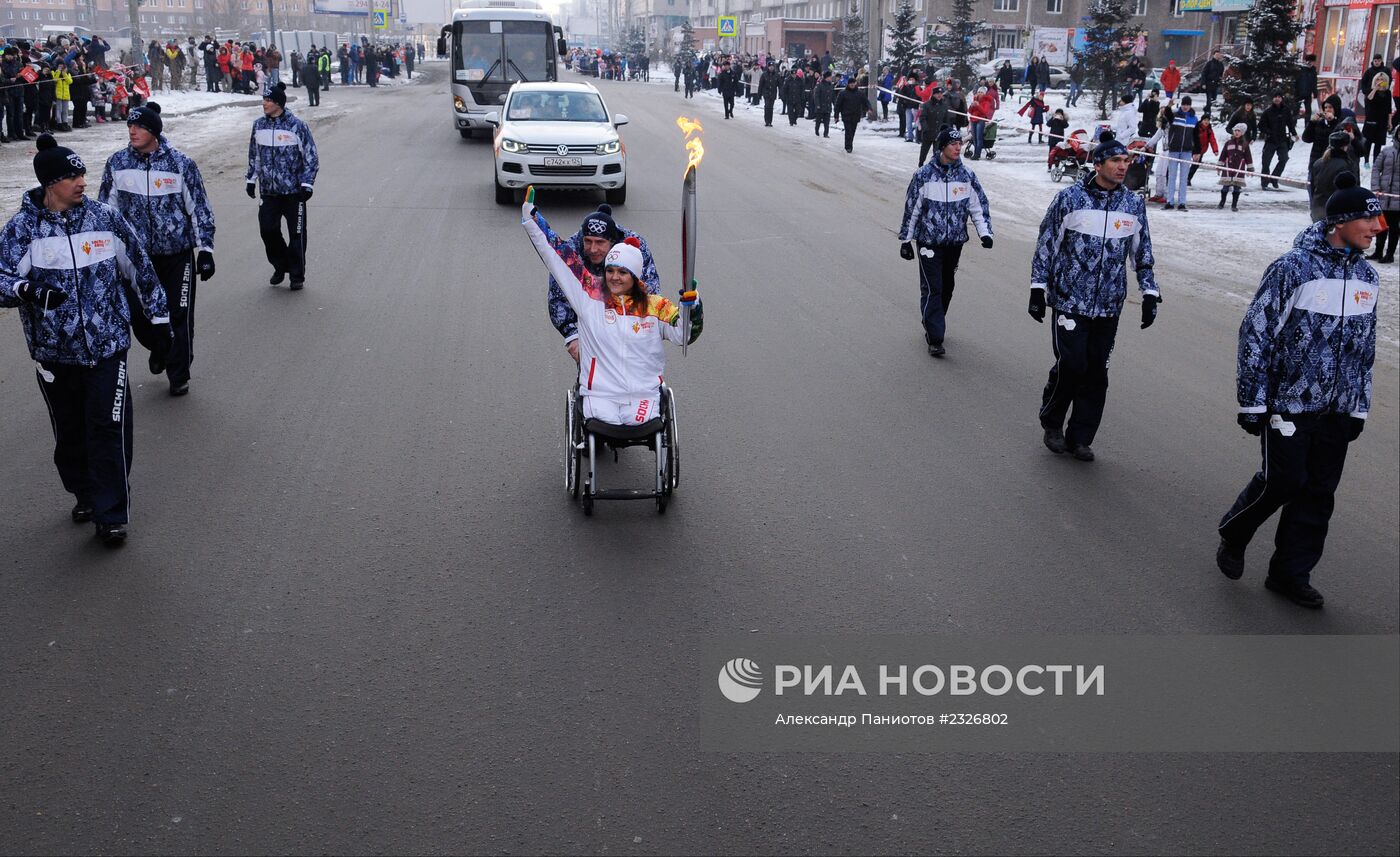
{"points": [[495, 44]]}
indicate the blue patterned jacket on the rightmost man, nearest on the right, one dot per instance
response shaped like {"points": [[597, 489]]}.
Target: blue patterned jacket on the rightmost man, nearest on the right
{"points": [[1310, 338]]}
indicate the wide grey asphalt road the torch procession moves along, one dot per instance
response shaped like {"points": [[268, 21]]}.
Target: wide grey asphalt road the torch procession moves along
{"points": [[358, 613]]}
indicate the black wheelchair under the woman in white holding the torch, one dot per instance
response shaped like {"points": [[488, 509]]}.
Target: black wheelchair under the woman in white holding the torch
{"points": [[586, 439]]}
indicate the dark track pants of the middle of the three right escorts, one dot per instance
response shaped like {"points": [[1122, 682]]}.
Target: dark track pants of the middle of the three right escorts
{"points": [[1079, 380]]}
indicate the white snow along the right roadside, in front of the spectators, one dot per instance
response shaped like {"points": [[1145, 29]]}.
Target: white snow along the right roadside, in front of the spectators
{"points": [[1214, 254]]}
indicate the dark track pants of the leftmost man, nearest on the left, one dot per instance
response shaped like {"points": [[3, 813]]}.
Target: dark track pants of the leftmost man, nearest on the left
{"points": [[90, 411]]}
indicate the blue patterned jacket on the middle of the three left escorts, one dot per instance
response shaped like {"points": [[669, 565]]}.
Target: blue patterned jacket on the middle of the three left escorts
{"points": [[163, 197]]}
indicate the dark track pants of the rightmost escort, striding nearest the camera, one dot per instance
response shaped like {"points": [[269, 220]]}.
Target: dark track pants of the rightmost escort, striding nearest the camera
{"points": [[1300, 475]]}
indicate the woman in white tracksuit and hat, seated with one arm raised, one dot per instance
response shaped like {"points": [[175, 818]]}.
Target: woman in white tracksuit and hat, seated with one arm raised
{"points": [[621, 327]]}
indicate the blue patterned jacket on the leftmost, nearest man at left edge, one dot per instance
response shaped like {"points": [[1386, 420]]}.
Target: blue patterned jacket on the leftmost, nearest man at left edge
{"points": [[87, 251]]}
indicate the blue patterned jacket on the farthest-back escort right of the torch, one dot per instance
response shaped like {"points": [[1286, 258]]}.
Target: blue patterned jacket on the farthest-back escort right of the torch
{"points": [[939, 204]]}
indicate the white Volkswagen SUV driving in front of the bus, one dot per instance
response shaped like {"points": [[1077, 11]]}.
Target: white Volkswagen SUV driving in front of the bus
{"points": [[558, 135]]}
